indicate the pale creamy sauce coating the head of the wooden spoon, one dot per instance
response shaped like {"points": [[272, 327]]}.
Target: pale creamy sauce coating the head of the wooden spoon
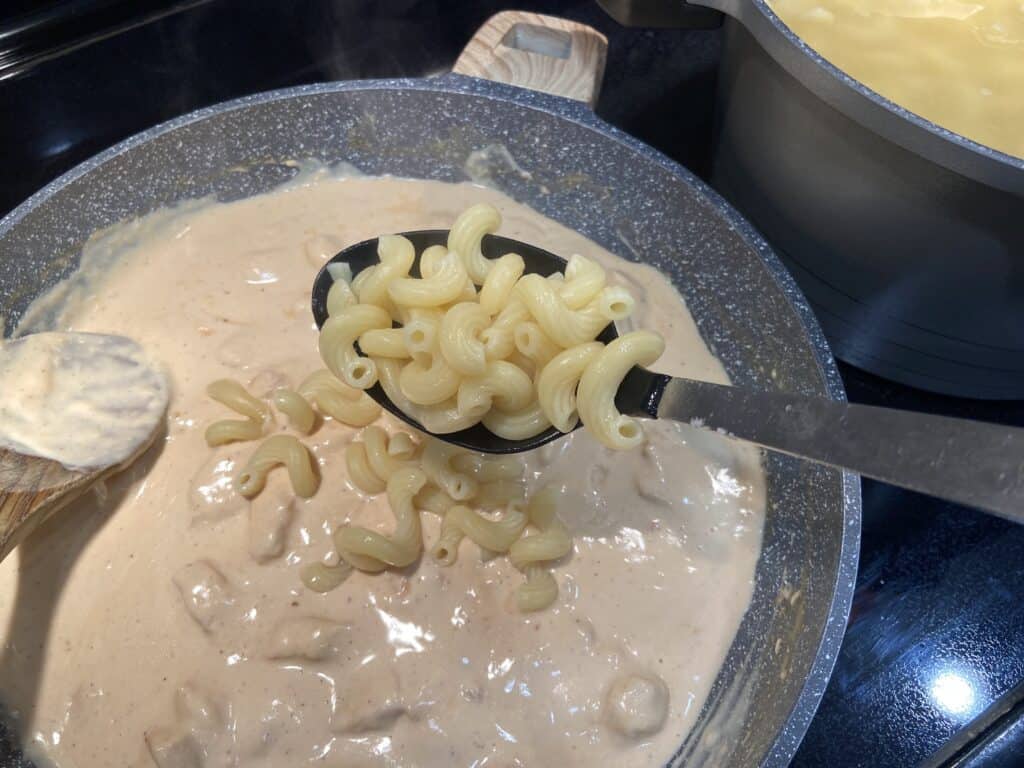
{"points": [[87, 401]]}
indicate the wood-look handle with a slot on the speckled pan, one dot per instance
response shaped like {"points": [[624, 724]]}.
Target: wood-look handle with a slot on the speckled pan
{"points": [[539, 53]]}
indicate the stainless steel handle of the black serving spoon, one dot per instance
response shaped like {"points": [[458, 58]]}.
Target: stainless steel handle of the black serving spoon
{"points": [[969, 462]]}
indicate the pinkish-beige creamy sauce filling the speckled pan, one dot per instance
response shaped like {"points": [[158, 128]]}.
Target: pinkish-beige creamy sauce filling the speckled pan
{"points": [[166, 624]]}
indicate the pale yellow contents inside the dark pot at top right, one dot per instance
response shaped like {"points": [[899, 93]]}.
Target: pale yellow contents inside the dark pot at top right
{"points": [[957, 63]]}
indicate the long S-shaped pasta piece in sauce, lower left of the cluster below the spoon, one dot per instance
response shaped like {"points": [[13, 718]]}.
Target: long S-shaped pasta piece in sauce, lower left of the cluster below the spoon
{"points": [[368, 550]]}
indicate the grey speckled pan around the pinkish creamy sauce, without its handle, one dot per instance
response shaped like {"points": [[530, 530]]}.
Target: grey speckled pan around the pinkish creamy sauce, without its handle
{"points": [[574, 168]]}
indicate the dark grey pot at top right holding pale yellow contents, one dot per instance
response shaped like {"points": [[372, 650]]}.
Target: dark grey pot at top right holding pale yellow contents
{"points": [[908, 239]]}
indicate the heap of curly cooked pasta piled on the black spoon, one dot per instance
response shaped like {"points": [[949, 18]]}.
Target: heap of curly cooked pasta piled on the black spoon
{"points": [[511, 357]]}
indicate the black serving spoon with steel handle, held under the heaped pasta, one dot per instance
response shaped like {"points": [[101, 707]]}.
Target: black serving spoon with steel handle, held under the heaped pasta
{"points": [[973, 463]]}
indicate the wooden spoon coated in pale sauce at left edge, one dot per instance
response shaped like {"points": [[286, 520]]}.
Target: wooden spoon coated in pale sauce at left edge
{"points": [[74, 409]]}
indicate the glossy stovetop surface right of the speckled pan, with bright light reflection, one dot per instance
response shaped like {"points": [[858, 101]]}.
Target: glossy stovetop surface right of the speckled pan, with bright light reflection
{"points": [[931, 667]]}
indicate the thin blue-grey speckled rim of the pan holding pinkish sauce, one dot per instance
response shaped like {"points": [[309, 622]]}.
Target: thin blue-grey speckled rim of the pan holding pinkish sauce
{"points": [[834, 630]]}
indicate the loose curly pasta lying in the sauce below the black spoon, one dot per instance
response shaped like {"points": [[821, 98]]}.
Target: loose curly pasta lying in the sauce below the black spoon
{"points": [[479, 497]]}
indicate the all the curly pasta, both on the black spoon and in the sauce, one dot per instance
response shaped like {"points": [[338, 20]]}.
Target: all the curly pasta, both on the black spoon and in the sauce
{"points": [[471, 342]]}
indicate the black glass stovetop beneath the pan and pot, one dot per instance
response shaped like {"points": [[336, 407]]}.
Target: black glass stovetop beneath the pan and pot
{"points": [[932, 668]]}
